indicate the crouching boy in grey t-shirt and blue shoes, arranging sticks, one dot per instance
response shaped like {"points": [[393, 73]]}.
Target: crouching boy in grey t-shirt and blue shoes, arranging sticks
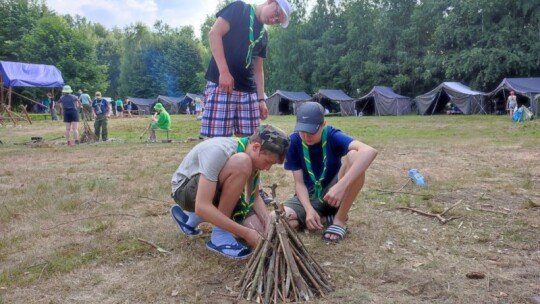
{"points": [[218, 182]]}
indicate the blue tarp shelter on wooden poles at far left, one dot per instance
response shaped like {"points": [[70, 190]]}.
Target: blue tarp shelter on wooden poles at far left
{"points": [[17, 74]]}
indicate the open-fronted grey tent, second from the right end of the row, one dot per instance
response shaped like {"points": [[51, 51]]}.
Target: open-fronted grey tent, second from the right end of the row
{"points": [[461, 96]]}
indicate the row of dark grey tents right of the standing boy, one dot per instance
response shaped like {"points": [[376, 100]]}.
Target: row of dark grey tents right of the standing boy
{"points": [[383, 100]]}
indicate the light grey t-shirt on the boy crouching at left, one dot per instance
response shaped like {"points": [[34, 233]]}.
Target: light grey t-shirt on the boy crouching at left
{"points": [[206, 158]]}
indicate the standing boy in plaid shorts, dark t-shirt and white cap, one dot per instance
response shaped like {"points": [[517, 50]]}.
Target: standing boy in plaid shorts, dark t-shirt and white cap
{"points": [[234, 96]]}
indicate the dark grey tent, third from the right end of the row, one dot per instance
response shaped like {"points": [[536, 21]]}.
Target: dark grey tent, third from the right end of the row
{"points": [[383, 100]]}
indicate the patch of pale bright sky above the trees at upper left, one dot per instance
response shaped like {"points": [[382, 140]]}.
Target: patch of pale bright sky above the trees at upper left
{"points": [[121, 13]]}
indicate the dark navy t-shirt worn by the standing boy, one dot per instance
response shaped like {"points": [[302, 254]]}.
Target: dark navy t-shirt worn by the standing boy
{"points": [[236, 43]]}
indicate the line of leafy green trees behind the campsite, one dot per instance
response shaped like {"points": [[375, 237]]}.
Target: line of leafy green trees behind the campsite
{"points": [[353, 45]]}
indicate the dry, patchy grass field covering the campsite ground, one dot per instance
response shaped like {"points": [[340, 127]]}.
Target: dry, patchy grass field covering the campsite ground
{"points": [[71, 217]]}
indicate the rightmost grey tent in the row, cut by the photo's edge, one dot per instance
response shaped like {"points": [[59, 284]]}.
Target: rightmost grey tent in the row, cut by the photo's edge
{"points": [[525, 89]]}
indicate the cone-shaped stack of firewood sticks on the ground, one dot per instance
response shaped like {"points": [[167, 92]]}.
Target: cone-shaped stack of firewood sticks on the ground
{"points": [[281, 269]]}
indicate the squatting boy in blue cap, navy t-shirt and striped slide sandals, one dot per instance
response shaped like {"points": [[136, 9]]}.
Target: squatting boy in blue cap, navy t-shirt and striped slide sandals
{"points": [[328, 168]]}
